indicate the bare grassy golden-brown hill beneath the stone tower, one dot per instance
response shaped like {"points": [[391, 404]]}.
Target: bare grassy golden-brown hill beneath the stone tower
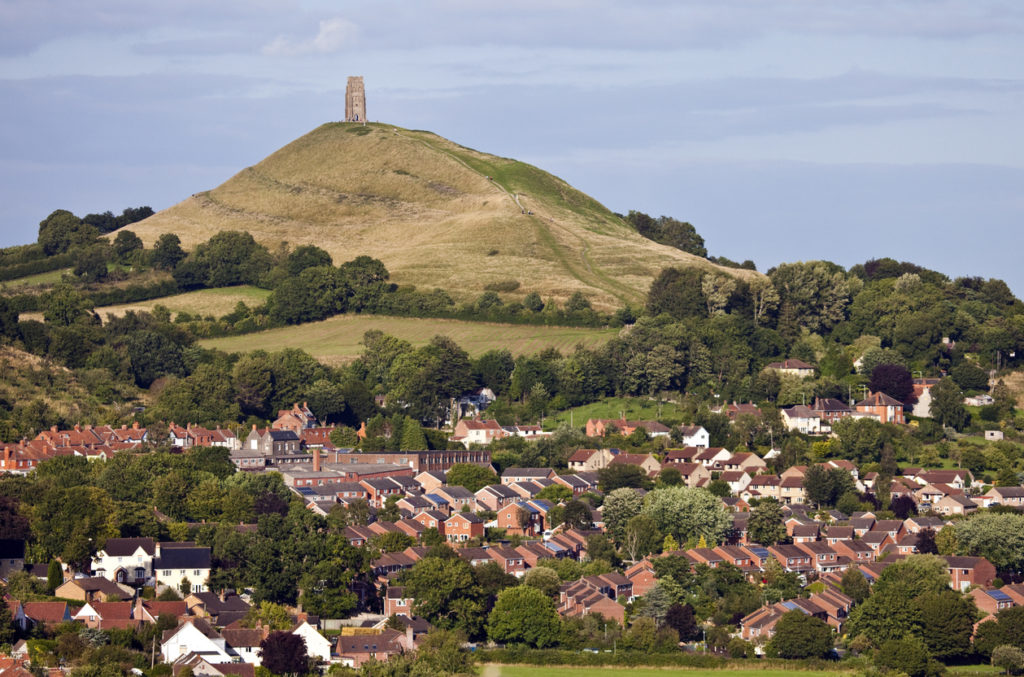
{"points": [[436, 214]]}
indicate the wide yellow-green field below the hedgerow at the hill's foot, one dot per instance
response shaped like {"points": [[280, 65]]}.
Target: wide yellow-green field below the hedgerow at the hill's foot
{"points": [[339, 340]]}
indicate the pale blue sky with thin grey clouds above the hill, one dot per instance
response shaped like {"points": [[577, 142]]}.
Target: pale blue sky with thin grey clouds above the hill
{"points": [[785, 131]]}
